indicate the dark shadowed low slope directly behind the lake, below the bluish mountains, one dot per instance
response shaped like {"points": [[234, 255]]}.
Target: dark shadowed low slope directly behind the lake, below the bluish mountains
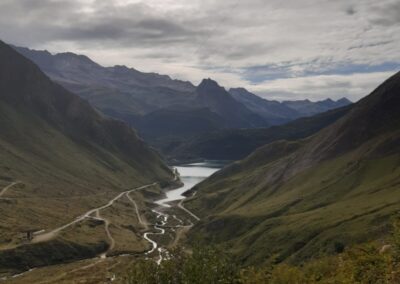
{"points": [[236, 144]]}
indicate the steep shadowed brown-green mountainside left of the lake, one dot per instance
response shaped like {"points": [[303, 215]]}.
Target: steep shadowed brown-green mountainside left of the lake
{"points": [[65, 156]]}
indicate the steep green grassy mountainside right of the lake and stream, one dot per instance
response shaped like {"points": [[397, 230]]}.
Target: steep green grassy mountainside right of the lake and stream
{"points": [[297, 200]]}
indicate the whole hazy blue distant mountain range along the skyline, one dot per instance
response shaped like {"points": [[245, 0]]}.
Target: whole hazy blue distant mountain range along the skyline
{"points": [[148, 100]]}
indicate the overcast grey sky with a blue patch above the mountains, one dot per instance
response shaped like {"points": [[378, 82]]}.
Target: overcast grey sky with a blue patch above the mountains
{"points": [[283, 50]]}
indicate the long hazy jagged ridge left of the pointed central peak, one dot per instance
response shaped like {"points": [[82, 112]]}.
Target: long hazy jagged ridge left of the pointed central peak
{"points": [[120, 89]]}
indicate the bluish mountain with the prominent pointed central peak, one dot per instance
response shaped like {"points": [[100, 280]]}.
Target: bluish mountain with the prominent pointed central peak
{"points": [[213, 109]]}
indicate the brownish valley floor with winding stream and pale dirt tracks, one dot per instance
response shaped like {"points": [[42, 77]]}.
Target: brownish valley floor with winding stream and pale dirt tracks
{"points": [[128, 227]]}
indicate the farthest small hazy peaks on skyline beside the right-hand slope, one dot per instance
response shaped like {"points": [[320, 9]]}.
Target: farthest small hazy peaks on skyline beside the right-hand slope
{"points": [[308, 108]]}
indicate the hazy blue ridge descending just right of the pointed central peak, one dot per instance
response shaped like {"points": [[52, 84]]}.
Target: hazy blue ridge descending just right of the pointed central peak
{"points": [[272, 111]]}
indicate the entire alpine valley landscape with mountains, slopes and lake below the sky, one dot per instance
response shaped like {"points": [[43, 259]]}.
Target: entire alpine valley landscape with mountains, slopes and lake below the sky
{"points": [[112, 175]]}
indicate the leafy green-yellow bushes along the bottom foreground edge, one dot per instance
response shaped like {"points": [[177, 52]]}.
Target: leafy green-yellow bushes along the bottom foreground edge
{"points": [[367, 263]]}
